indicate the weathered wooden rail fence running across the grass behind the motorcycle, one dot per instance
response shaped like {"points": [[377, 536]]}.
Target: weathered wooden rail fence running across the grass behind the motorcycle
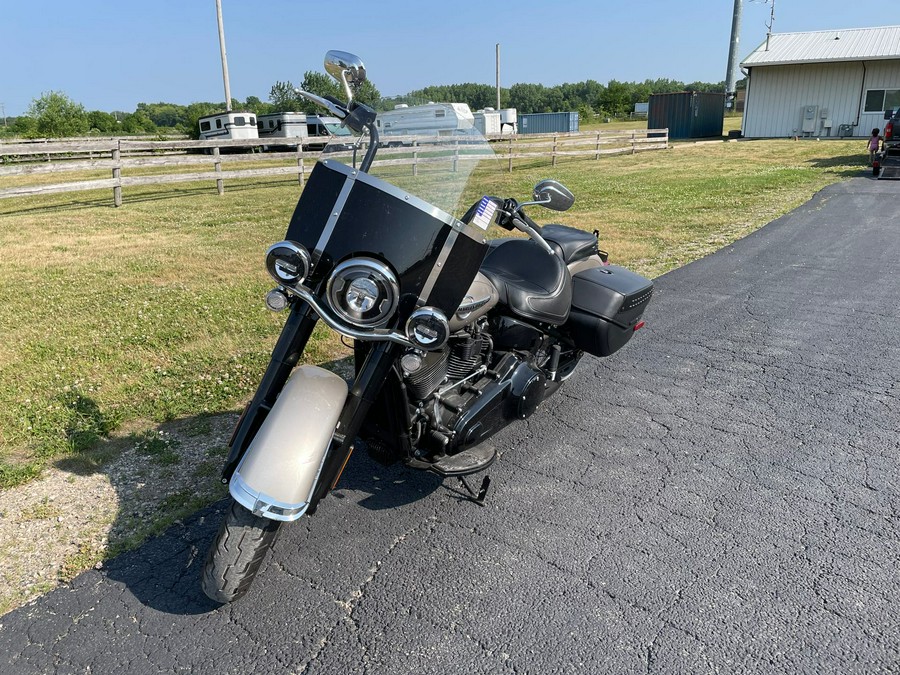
{"points": [[118, 155]]}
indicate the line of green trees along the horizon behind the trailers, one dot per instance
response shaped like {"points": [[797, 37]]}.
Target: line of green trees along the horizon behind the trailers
{"points": [[54, 114]]}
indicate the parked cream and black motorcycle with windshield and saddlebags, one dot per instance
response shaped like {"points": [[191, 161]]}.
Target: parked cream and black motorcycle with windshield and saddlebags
{"points": [[454, 335]]}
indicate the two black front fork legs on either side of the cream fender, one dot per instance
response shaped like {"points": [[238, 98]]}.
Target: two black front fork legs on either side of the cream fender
{"points": [[286, 354]]}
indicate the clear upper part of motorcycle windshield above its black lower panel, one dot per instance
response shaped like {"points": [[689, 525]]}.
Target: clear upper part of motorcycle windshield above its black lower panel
{"points": [[431, 151]]}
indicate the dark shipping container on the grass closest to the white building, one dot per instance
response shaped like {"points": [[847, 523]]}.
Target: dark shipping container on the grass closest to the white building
{"points": [[687, 114]]}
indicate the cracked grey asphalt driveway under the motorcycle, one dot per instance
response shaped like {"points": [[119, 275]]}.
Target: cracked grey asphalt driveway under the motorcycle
{"points": [[721, 496]]}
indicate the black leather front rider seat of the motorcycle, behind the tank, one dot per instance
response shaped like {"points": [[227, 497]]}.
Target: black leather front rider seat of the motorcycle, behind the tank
{"points": [[532, 283]]}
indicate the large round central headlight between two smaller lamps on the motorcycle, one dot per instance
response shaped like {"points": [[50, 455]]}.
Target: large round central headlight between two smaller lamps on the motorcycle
{"points": [[363, 292]]}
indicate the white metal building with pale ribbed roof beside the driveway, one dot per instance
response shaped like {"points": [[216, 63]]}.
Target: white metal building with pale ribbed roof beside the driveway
{"points": [[822, 83]]}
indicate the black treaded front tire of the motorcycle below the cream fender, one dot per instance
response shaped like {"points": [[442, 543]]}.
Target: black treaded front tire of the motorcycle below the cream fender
{"points": [[236, 554]]}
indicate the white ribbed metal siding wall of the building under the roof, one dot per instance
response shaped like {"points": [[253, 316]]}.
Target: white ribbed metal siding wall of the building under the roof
{"points": [[779, 93]]}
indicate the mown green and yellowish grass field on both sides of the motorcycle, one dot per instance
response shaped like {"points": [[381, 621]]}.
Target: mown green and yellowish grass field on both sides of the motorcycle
{"points": [[114, 320]]}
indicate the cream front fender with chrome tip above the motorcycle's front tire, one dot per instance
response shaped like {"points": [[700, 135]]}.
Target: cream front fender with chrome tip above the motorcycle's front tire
{"points": [[278, 473]]}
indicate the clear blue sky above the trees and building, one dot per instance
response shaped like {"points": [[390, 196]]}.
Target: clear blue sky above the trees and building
{"points": [[110, 55]]}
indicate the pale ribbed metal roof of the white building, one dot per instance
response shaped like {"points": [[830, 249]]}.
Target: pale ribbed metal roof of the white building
{"points": [[828, 46]]}
